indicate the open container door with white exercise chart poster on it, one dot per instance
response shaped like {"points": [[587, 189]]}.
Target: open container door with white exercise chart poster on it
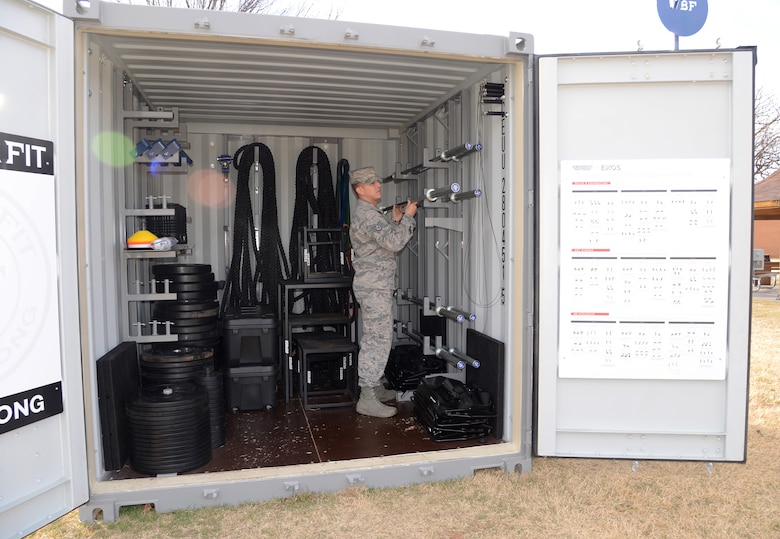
{"points": [[645, 171]]}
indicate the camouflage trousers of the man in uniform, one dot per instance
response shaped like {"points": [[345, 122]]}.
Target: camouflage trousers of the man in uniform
{"points": [[375, 321]]}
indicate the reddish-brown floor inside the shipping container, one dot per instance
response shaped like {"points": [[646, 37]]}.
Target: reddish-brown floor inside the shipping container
{"points": [[289, 435]]}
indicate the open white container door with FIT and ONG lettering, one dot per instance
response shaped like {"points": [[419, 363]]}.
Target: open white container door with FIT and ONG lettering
{"points": [[43, 472]]}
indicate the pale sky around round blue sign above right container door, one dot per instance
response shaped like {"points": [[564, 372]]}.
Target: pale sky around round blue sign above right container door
{"points": [[578, 26]]}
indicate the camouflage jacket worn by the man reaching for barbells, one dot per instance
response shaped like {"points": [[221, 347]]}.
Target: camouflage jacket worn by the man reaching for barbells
{"points": [[375, 241]]}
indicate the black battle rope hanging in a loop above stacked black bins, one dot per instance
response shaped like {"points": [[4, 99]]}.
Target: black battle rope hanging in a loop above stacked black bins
{"points": [[241, 282]]}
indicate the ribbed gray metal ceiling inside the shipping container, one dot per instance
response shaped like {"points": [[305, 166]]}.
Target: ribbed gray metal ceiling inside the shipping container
{"points": [[229, 82]]}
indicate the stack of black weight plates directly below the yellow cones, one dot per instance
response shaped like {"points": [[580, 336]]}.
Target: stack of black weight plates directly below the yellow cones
{"points": [[193, 315]]}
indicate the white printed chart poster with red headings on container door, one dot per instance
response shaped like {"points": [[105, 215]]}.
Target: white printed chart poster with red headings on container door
{"points": [[644, 266]]}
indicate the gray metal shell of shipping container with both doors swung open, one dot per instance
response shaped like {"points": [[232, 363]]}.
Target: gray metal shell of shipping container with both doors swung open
{"points": [[609, 254]]}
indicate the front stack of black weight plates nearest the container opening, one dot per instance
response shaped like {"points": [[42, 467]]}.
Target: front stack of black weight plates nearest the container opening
{"points": [[168, 429]]}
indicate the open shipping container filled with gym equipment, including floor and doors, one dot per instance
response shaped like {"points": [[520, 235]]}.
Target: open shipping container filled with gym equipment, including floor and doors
{"points": [[584, 235]]}
